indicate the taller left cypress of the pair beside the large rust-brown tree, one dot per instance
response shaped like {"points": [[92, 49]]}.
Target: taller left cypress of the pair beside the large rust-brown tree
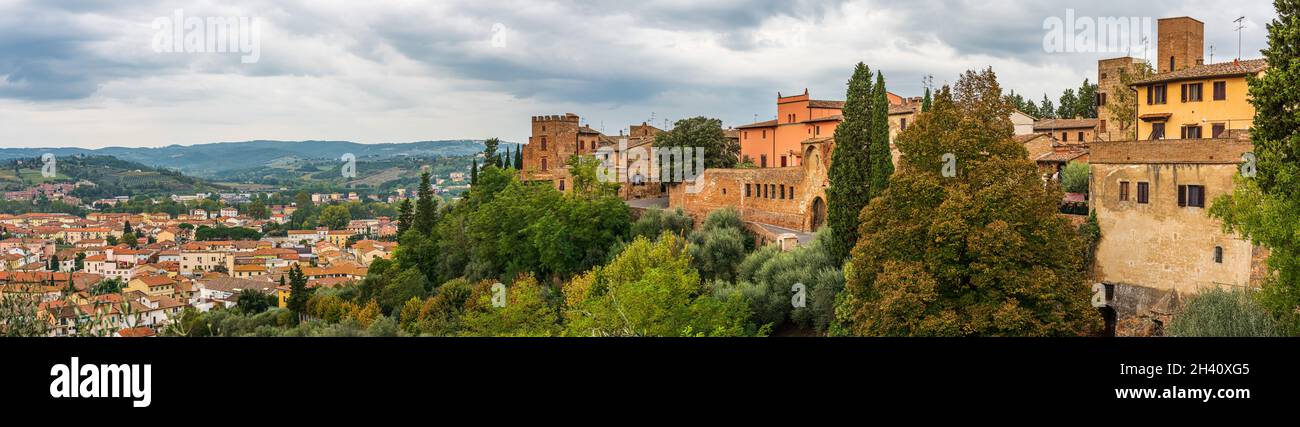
{"points": [[851, 165]]}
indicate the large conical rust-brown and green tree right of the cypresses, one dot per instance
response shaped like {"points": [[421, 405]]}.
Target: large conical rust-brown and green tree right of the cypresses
{"points": [[980, 255]]}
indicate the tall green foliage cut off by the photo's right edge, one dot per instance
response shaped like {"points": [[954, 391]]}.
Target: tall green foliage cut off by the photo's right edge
{"points": [[1267, 209]]}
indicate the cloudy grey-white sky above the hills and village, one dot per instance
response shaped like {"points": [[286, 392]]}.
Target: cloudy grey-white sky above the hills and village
{"points": [[89, 74]]}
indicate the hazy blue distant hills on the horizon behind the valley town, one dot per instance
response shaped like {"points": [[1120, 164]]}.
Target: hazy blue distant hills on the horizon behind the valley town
{"points": [[213, 161]]}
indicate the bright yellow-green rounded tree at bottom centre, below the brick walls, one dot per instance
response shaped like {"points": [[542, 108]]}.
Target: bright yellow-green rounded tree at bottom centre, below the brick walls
{"points": [[651, 290]]}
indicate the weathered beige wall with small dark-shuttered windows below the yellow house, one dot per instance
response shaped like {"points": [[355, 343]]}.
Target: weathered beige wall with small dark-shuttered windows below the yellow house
{"points": [[1160, 244]]}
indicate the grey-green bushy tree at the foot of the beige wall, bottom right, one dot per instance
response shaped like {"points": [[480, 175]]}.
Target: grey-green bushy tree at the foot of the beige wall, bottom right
{"points": [[1217, 313]]}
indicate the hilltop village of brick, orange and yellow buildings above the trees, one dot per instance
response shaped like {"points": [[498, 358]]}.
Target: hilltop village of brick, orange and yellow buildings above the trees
{"points": [[1152, 174]]}
